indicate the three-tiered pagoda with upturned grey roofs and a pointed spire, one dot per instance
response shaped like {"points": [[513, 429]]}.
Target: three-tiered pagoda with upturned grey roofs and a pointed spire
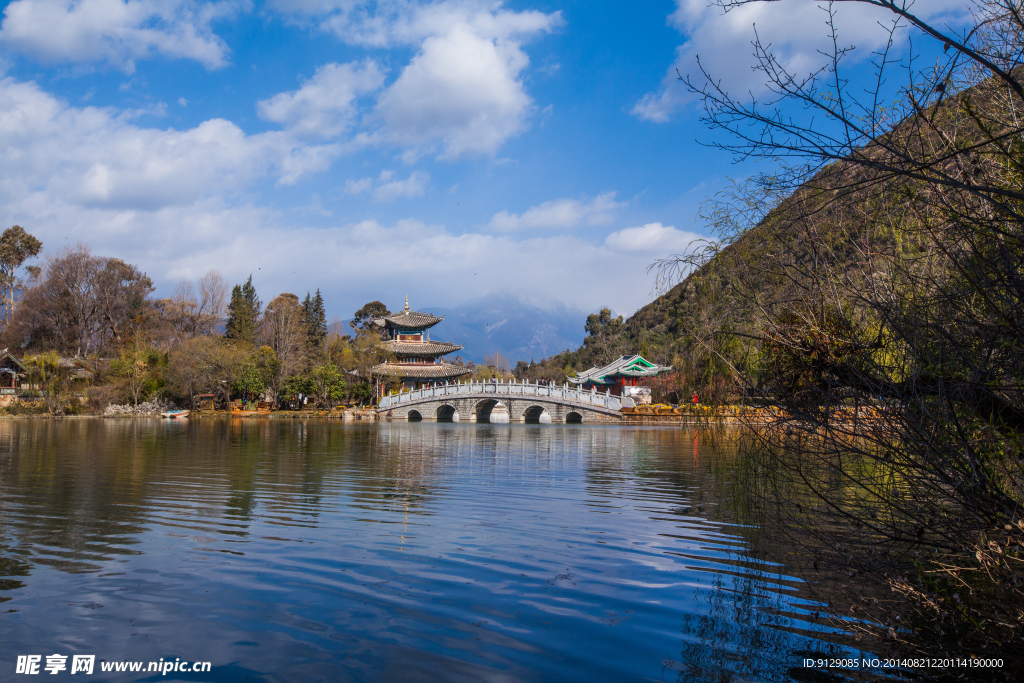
{"points": [[417, 359]]}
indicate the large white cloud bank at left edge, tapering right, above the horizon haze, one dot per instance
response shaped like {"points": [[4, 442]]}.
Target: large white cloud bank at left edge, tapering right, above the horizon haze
{"points": [[99, 157]]}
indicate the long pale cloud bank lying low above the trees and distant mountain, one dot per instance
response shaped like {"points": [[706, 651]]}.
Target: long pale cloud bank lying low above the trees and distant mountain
{"points": [[347, 261]]}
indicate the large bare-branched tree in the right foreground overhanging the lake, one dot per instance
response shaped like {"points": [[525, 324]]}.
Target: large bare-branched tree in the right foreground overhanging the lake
{"points": [[879, 309]]}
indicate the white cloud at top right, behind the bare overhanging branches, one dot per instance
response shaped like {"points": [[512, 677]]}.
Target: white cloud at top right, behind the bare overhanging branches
{"points": [[796, 30]]}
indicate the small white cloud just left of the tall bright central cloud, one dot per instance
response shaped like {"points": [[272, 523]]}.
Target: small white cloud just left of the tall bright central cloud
{"points": [[326, 105]]}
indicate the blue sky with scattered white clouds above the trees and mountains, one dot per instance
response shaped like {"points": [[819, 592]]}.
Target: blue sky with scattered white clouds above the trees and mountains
{"points": [[447, 150]]}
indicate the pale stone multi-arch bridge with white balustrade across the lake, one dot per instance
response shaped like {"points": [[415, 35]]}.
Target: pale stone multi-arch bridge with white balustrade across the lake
{"points": [[502, 403]]}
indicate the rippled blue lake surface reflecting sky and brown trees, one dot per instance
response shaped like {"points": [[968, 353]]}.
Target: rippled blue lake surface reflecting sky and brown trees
{"points": [[305, 550]]}
